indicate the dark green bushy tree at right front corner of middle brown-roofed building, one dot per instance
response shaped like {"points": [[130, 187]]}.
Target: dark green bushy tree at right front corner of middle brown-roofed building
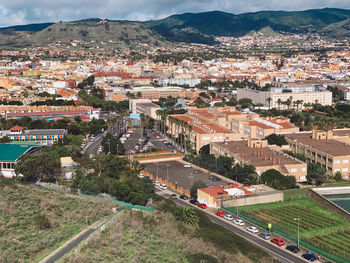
{"points": [[277, 180]]}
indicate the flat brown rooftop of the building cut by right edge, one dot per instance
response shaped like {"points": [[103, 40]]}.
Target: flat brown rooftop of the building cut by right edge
{"points": [[330, 146]]}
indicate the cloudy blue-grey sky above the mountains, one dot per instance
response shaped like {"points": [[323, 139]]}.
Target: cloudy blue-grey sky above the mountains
{"points": [[19, 12]]}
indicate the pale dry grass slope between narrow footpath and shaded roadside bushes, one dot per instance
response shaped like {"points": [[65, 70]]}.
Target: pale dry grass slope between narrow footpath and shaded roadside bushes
{"points": [[157, 237]]}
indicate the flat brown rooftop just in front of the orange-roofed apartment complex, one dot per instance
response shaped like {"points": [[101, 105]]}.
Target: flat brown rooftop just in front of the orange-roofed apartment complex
{"points": [[257, 156]]}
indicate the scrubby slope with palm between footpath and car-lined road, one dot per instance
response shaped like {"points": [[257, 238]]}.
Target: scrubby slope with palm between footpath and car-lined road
{"points": [[168, 235]]}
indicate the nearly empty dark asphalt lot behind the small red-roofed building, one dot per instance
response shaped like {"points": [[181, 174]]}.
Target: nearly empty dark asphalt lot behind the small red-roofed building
{"points": [[176, 173]]}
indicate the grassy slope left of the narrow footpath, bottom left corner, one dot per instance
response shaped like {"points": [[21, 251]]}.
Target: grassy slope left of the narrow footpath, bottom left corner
{"points": [[21, 240]]}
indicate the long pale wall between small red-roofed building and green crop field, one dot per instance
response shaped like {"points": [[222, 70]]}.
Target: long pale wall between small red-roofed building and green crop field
{"points": [[268, 197]]}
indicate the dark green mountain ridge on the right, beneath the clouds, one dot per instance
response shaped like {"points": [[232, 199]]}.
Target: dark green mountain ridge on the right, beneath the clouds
{"points": [[217, 23]]}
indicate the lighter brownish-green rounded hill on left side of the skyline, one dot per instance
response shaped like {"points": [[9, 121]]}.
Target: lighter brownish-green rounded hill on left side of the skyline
{"points": [[122, 33]]}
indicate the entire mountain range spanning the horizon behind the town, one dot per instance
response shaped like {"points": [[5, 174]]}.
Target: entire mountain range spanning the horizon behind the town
{"points": [[188, 27]]}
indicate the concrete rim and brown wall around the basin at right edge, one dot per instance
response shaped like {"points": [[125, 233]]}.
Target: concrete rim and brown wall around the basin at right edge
{"points": [[315, 195]]}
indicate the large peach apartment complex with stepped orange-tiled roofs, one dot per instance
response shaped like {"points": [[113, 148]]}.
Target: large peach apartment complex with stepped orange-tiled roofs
{"points": [[227, 124]]}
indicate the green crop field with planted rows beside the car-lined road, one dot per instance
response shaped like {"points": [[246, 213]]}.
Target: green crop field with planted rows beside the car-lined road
{"points": [[319, 228]]}
